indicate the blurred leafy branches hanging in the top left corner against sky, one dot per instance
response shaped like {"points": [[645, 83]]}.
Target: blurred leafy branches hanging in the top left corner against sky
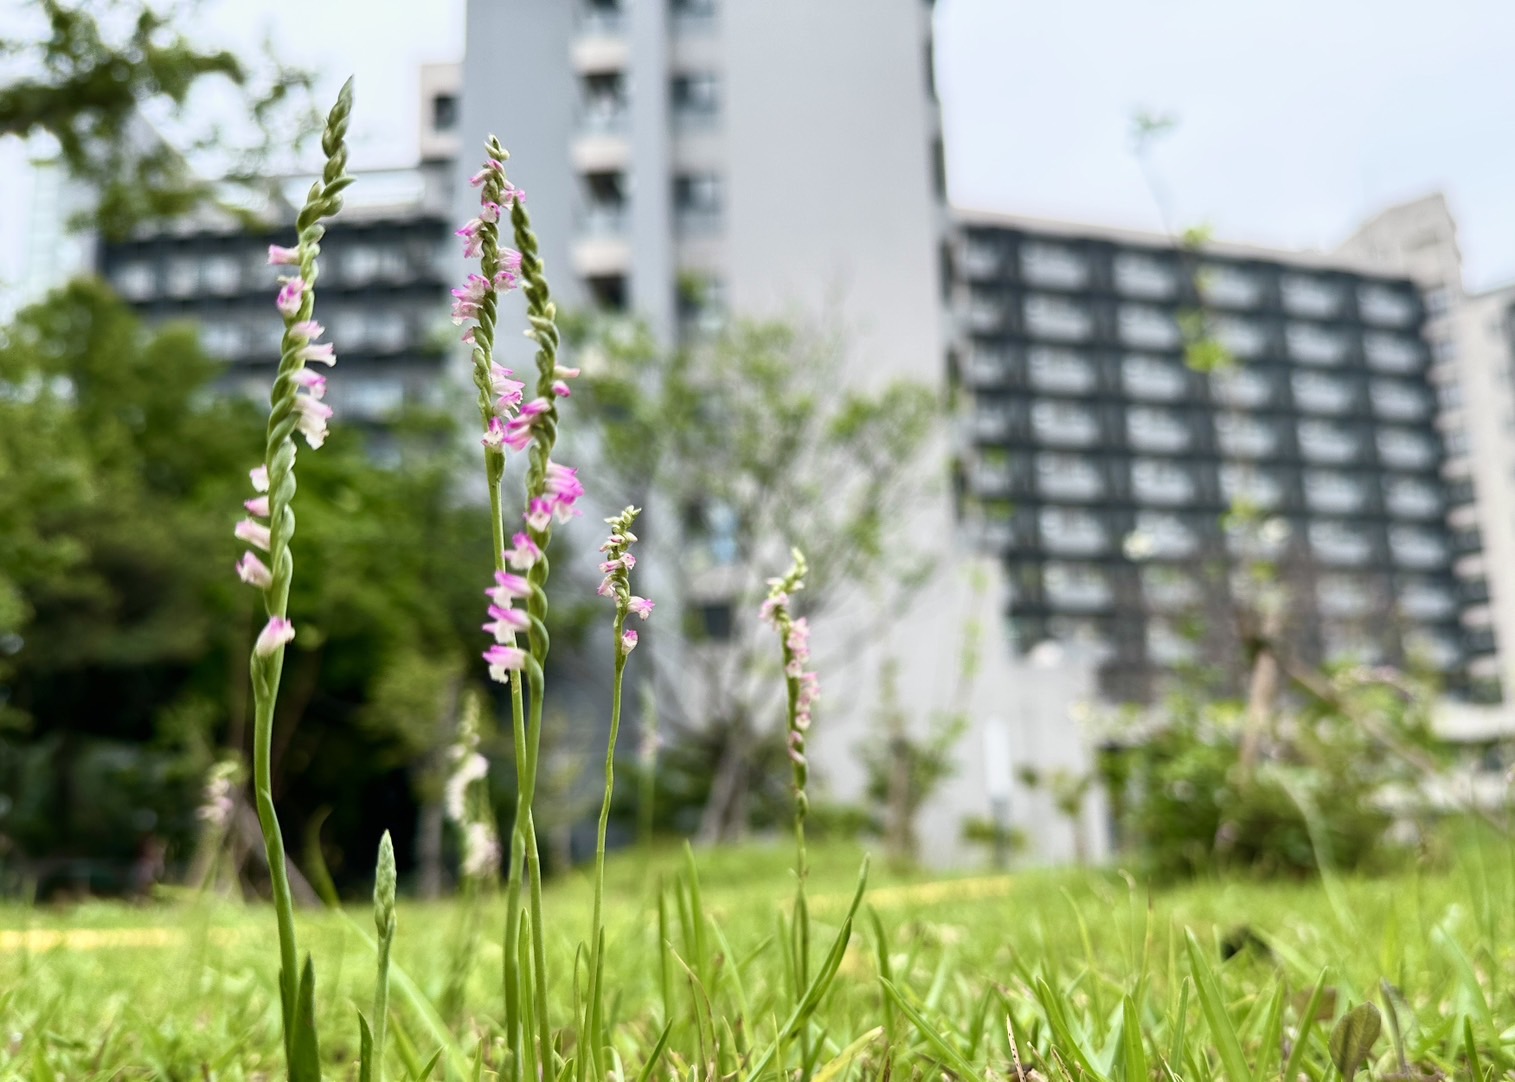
{"points": [[102, 80]]}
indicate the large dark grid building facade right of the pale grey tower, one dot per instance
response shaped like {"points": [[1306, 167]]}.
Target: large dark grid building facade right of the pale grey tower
{"points": [[1101, 468]]}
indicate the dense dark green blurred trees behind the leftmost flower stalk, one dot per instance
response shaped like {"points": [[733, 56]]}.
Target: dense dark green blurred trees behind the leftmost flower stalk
{"points": [[122, 621]]}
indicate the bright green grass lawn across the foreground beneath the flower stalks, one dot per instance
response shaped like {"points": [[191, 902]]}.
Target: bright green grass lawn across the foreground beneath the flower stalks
{"points": [[1081, 963]]}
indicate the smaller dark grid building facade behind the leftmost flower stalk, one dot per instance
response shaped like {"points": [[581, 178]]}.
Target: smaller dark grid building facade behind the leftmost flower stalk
{"points": [[384, 293]]}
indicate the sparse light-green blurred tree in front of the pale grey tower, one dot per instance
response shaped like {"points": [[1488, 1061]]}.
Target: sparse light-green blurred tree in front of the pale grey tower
{"points": [[742, 445]]}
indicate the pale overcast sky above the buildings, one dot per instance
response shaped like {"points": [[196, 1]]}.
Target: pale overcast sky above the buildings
{"points": [[1296, 117]]}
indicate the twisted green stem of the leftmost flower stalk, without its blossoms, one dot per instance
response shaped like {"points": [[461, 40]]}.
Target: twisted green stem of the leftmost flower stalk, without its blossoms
{"points": [[280, 454]]}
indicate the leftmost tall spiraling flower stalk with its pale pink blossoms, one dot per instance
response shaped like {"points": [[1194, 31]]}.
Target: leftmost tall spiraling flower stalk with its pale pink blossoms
{"points": [[296, 405]]}
